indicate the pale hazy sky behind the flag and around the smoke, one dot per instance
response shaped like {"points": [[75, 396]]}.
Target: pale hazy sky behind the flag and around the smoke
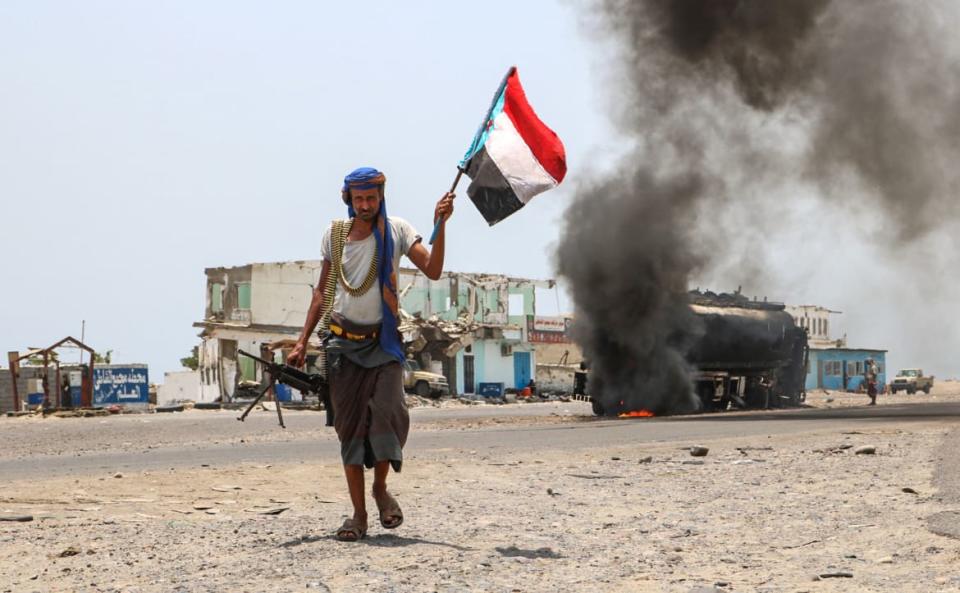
{"points": [[142, 142]]}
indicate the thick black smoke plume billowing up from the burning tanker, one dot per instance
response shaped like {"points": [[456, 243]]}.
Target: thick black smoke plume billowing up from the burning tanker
{"points": [[728, 104]]}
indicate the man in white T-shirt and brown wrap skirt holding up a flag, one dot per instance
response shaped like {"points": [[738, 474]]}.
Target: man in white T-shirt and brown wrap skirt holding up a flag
{"points": [[364, 349]]}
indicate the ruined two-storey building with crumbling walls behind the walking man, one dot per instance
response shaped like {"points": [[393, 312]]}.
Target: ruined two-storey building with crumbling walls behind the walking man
{"points": [[480, 331]]}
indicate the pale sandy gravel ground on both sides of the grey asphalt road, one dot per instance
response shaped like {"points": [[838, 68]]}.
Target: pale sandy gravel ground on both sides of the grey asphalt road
{"points": [[752, 515]]}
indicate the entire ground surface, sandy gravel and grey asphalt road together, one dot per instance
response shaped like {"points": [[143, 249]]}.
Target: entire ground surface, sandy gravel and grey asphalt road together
{"points": [[501, 499]]}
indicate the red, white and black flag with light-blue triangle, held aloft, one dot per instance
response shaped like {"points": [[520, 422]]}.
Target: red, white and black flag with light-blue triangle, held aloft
{"points": [[514, 156]]}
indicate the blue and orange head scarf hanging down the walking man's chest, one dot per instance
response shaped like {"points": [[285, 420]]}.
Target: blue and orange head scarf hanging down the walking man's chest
{"points": [[370, 178]]}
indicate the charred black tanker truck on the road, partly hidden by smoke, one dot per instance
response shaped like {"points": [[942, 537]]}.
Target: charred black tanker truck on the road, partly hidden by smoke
{"points": [[751, 355]]}
